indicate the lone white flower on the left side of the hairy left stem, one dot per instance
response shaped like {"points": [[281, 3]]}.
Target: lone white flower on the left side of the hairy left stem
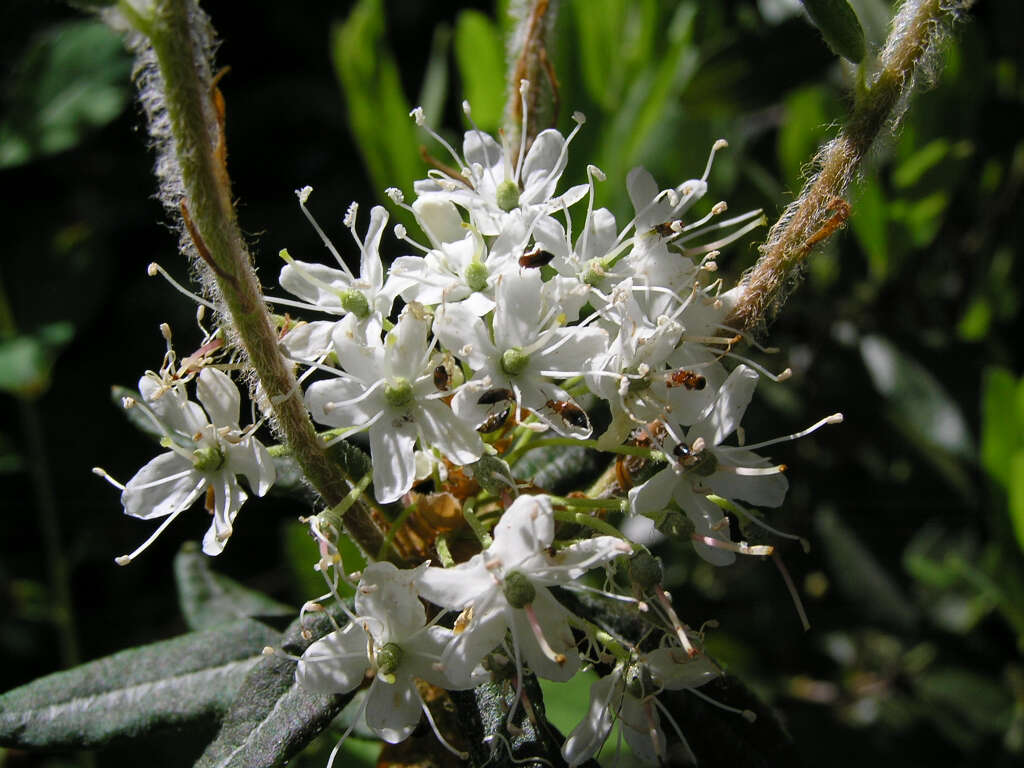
{"points": [[207, 452]]}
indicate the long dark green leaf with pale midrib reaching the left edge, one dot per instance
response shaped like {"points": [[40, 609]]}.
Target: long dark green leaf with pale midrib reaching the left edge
{"points": [[164, 686]]}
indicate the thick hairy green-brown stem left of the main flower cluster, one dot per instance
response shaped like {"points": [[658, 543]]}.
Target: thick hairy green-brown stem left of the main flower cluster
{"points": [[175, 45]]}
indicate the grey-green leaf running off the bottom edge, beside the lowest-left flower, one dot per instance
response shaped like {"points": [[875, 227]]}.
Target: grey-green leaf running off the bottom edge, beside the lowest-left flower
{"points": [[273, 717]]}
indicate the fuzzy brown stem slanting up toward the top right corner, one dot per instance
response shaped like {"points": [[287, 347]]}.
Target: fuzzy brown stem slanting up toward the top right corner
{"points": [[917, 29]]}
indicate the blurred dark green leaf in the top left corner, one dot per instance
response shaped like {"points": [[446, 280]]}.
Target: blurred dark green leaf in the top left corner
{"points": [[72, 81]]}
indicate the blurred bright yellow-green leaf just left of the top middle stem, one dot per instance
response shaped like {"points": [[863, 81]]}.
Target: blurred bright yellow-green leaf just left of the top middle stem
{"points": [[480, 54]]}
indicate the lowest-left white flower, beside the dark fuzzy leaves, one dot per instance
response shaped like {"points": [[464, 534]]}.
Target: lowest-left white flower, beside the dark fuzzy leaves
{"points": [[390, 638]]}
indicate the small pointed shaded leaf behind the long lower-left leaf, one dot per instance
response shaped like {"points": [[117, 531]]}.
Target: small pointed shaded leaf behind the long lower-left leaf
{"points": [[209, 600]]}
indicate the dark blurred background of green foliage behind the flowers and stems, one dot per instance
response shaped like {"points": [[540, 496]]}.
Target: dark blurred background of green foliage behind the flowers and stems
{"points": [[908, 323]]}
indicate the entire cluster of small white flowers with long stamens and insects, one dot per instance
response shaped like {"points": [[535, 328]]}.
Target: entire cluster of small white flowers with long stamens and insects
{"points": [[522, 316]]}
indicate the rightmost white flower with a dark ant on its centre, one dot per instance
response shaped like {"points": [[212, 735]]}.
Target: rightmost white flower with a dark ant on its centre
{"points": [[701, 465]]}
